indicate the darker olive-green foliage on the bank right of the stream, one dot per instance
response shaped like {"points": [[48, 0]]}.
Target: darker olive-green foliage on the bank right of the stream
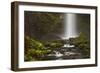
{"points": [[83, 43]]}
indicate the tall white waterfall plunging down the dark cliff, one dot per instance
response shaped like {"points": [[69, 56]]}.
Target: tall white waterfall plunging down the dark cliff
{"points": [[70, 27]]}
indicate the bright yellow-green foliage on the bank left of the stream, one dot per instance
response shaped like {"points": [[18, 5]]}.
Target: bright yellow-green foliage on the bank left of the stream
{"points": [[35, 49]]}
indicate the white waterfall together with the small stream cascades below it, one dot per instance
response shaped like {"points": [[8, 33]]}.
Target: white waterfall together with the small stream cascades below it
{"points": [[70, 30]]}
